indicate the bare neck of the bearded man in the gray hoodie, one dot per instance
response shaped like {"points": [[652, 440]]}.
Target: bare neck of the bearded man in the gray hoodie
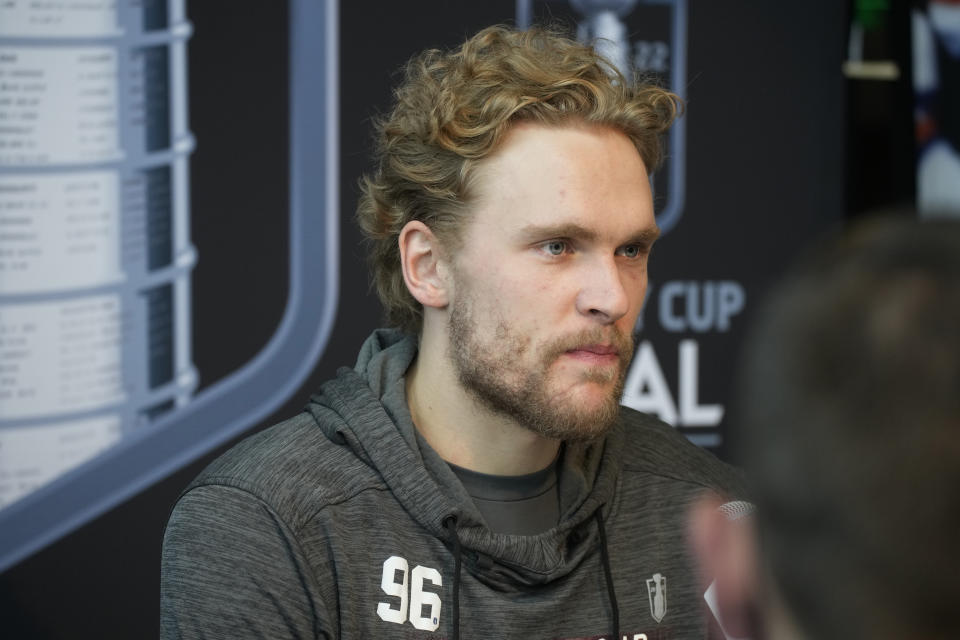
{"points": [[462, 430]]}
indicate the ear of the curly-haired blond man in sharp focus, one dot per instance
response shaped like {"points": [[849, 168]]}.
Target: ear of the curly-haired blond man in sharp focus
{"points": [[422, 264]]}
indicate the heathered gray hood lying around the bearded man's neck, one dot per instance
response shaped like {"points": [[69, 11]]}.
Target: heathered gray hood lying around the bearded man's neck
{"points": [[365, 408]]}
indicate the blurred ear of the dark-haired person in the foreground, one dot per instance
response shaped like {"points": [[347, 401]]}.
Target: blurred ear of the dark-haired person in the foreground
{"points": [[726, 552]]}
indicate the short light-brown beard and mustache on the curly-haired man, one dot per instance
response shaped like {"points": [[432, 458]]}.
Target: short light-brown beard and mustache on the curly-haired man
{"points": [[493, 373]]}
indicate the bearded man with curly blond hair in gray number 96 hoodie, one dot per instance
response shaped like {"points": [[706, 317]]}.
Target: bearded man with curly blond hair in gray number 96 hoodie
{"points": [[474, 474]]}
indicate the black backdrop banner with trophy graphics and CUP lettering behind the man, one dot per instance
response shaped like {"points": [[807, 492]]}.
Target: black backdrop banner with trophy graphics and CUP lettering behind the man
{"points": [[180, 265]]}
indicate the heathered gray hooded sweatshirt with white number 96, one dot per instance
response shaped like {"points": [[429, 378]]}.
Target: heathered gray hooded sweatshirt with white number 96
{"points": [[342, 523]]}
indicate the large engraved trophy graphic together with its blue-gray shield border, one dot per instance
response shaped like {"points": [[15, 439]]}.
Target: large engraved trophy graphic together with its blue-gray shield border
{"points": [[98, 392]]}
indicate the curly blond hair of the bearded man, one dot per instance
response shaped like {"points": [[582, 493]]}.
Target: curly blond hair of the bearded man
{"points": [[451, 111]]}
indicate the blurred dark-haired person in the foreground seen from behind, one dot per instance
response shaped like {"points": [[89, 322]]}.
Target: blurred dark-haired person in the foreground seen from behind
{"points": [[850, 433]]}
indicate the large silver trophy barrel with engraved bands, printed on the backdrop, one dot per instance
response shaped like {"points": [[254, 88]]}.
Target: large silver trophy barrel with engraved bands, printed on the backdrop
{"points": [[95, 253]]}
